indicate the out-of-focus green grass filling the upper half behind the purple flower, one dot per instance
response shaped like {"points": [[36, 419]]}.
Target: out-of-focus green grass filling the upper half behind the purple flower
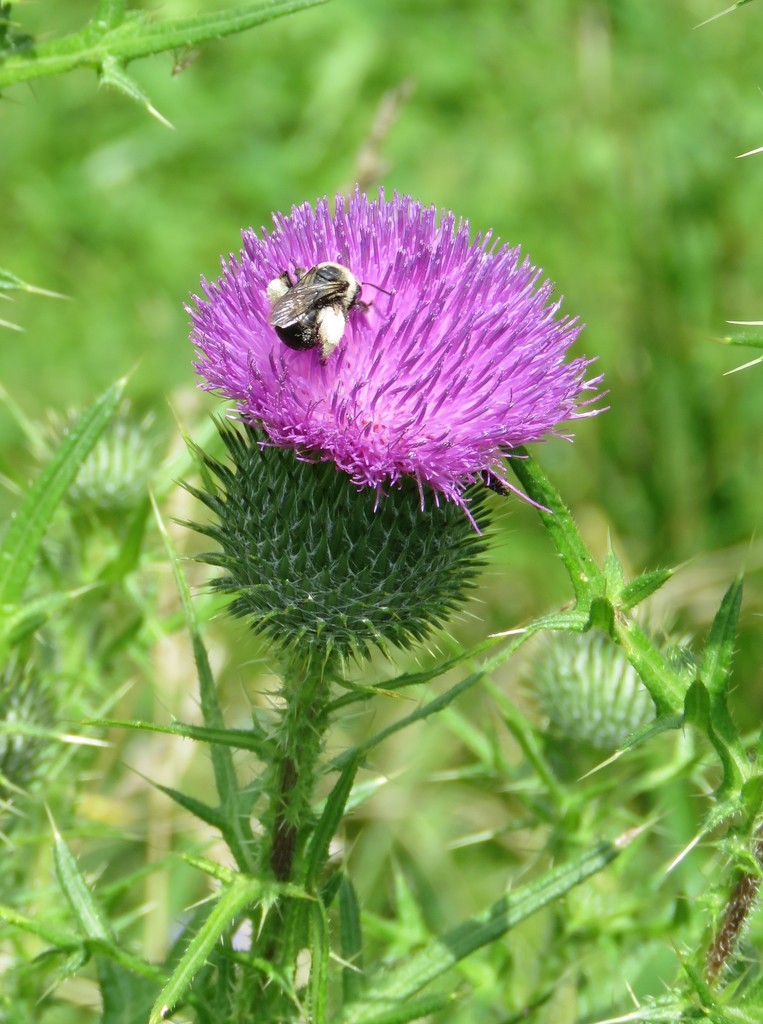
{"points": [[603, 137]]}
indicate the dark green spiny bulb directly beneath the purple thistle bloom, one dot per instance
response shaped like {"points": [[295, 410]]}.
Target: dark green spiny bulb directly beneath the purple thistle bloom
{"points": [[315, 562]]}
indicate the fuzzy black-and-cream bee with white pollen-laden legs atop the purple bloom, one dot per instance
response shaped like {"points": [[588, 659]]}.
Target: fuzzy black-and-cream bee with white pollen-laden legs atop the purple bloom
{"points": [[314, 312]]}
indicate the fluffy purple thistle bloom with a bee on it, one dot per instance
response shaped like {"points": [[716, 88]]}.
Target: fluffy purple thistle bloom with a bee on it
{"points": [[461, 364]]}
